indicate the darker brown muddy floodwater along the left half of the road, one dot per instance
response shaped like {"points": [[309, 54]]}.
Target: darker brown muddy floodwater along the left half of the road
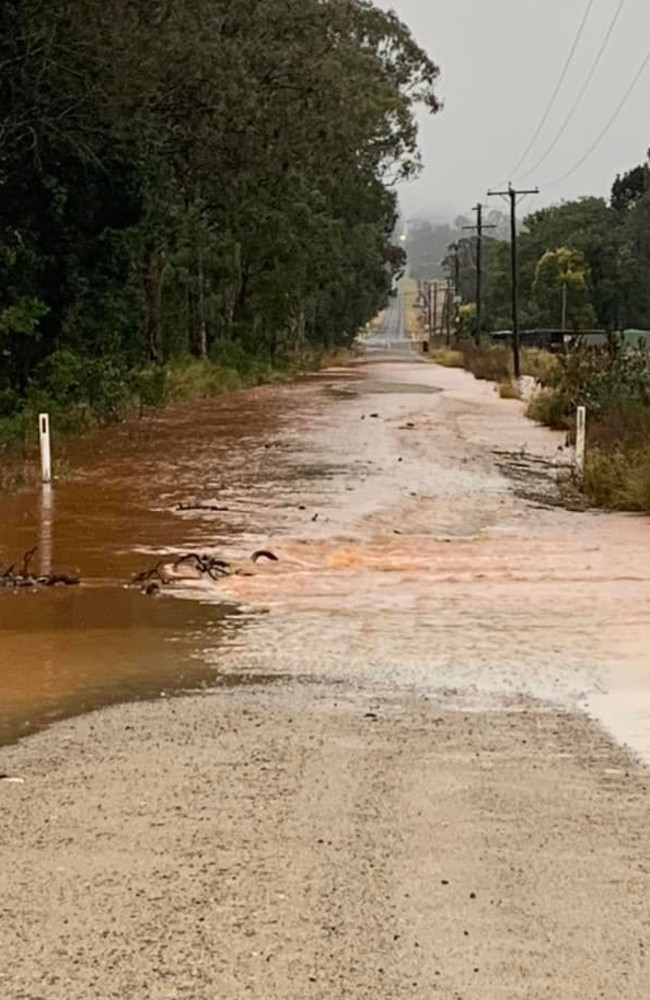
{"points": [[68, 651]]}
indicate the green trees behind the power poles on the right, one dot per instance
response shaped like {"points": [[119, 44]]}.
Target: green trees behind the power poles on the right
{"points": [[585, 261]]}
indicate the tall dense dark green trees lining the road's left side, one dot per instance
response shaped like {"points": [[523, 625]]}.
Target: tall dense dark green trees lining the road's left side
{"points": [[196, 176]]}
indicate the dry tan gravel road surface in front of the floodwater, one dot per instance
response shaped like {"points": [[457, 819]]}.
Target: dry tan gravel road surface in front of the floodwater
{"points": [[295, 841]]}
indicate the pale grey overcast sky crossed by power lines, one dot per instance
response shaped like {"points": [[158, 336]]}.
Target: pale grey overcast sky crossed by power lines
{"points": [[500, 62]]}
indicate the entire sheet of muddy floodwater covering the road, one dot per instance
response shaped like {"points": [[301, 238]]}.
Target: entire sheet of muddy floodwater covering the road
{"points": [[407, 559]]}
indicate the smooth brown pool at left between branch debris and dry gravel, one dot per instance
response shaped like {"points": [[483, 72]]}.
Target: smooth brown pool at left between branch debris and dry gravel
{"points": [[68, 651]]}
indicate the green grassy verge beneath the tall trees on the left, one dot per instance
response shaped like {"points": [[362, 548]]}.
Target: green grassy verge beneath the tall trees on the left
{"points": [[79, 396]]}
